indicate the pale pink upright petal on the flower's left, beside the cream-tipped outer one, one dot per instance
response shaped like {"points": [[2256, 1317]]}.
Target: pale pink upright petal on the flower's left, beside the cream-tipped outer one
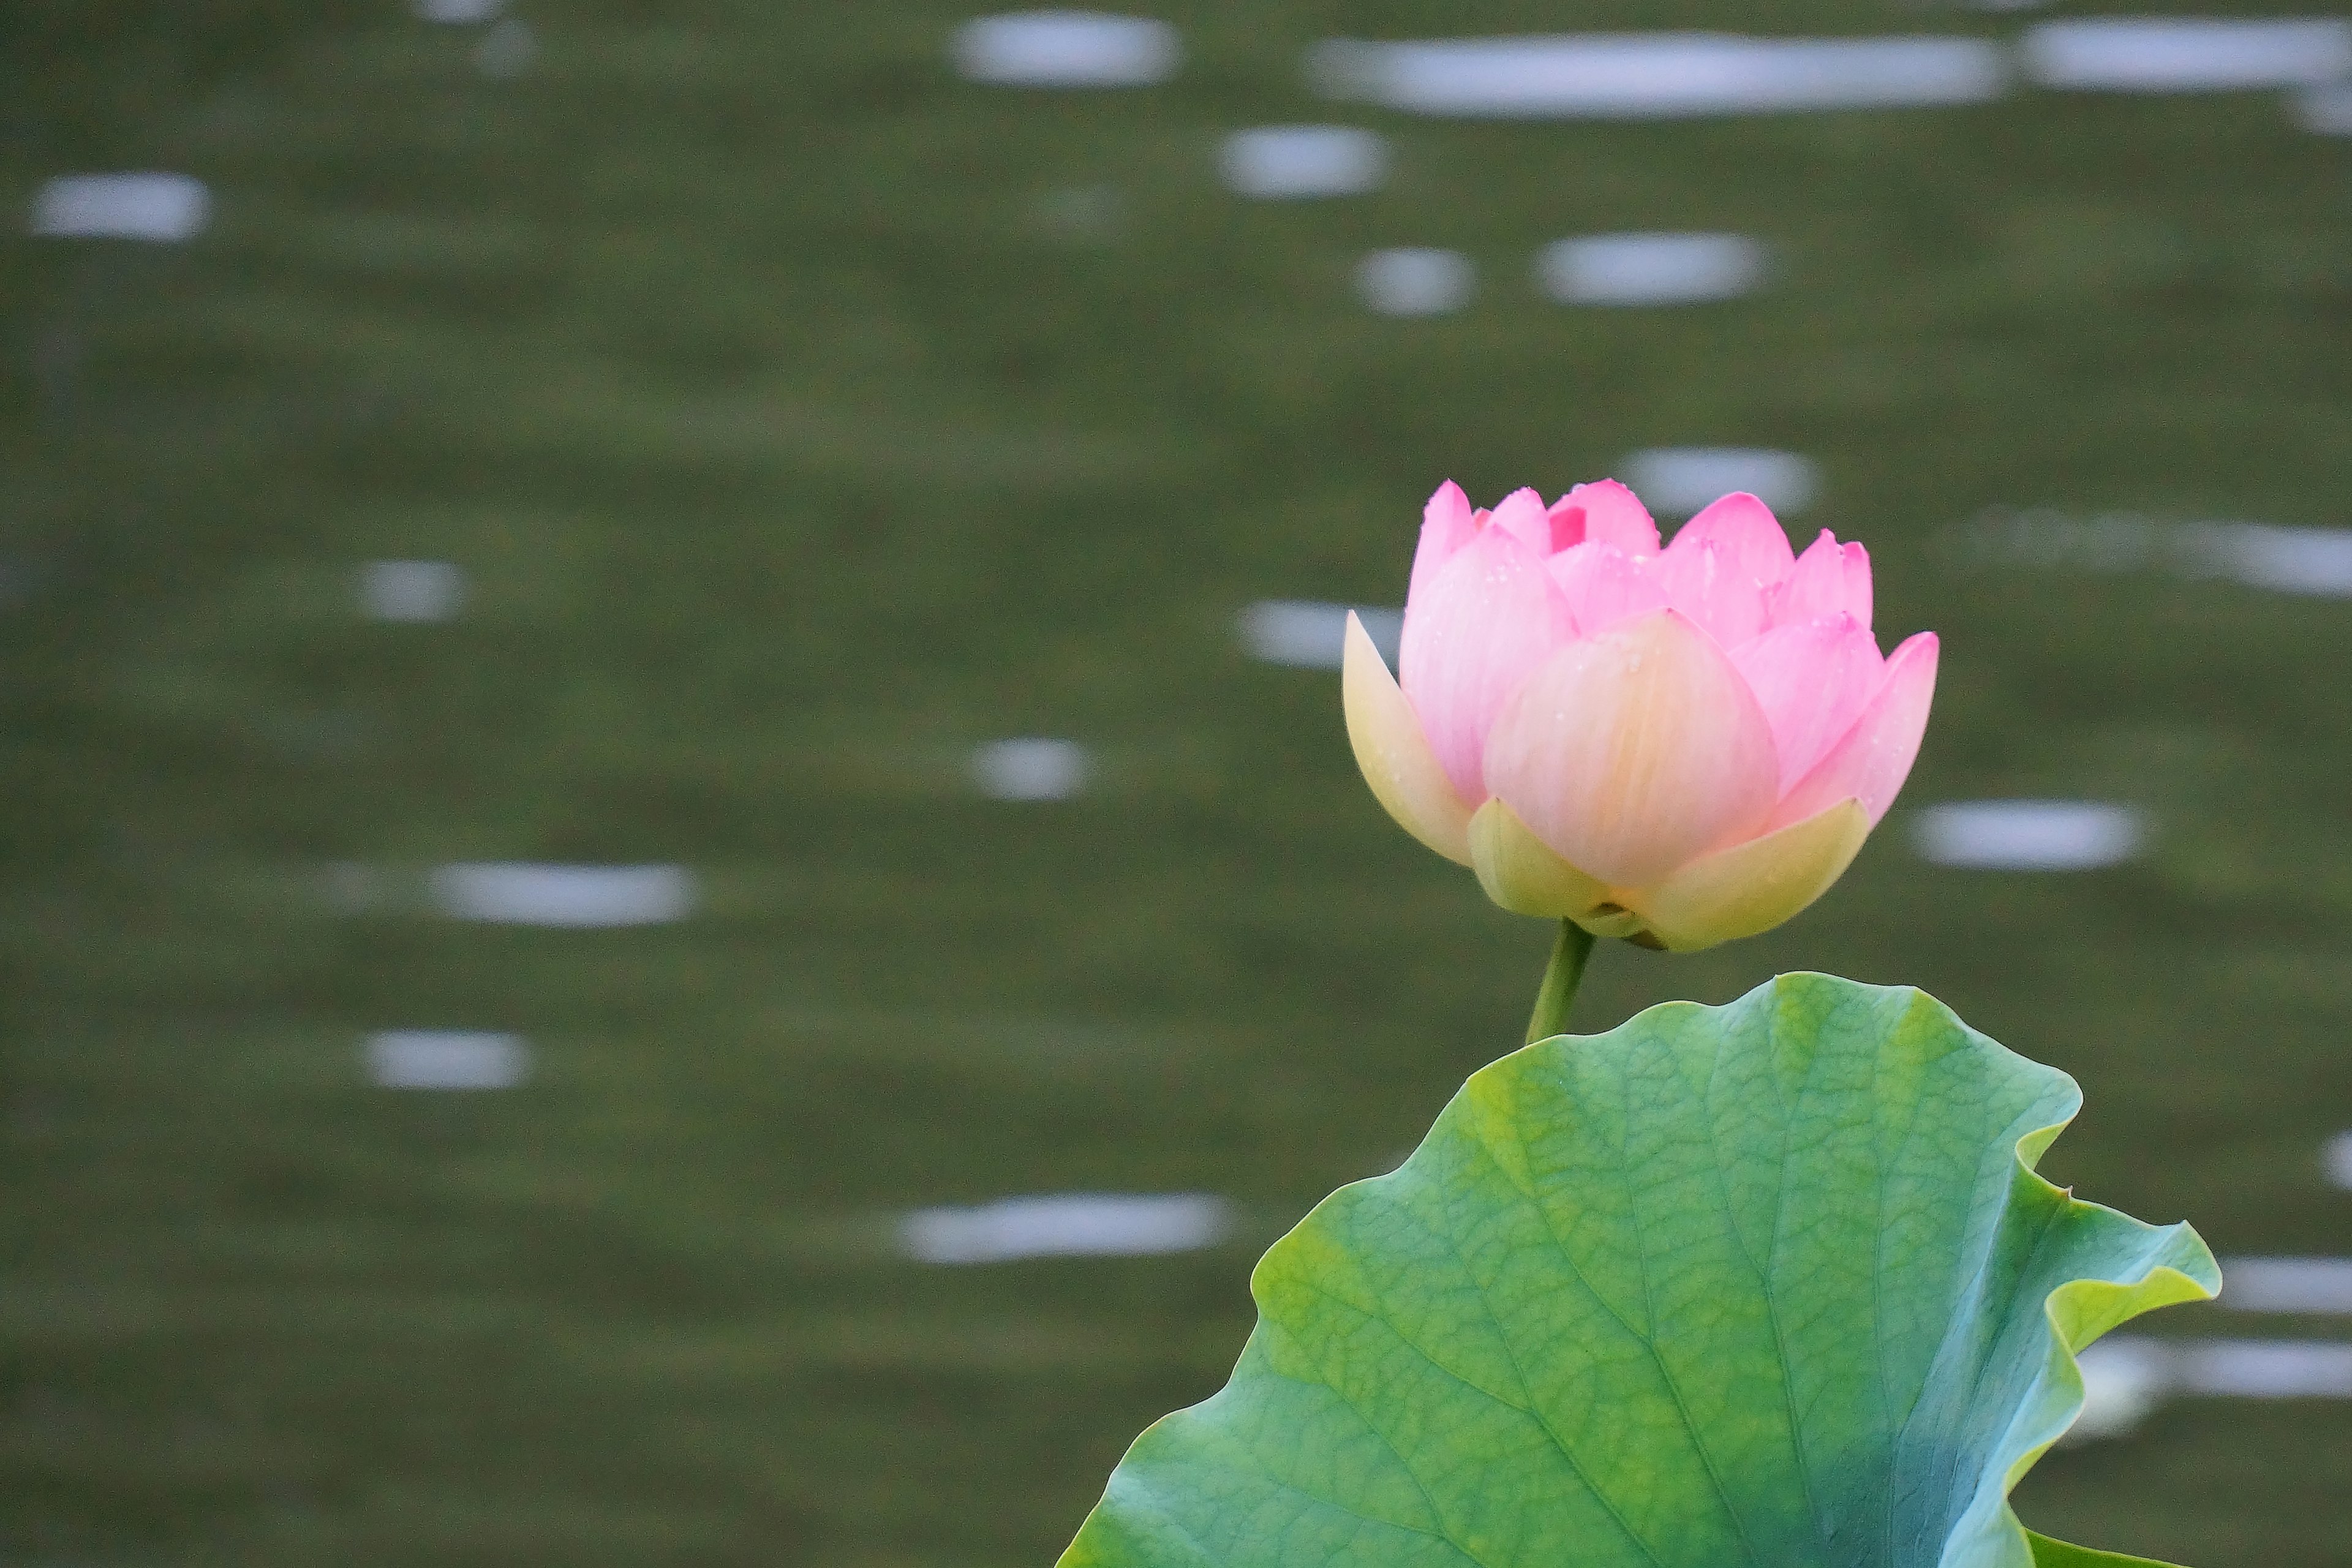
{"points": [[1488, 619]]}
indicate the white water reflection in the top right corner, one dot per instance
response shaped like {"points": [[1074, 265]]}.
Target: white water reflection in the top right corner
{"points": [[2186, 53]]}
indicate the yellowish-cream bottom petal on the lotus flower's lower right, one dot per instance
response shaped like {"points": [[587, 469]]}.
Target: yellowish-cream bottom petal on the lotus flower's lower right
{"points": [[1758, 885]]}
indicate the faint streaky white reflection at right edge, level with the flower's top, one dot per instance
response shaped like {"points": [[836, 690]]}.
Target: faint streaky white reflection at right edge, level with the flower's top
{"points": [[2257, 554]]}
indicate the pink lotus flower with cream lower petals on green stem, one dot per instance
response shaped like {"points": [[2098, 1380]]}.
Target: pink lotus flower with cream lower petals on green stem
{"points": [[1676, 746]]}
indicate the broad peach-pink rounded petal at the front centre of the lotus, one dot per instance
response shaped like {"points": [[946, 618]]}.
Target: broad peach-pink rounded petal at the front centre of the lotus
{"points": [[1636, 751]]}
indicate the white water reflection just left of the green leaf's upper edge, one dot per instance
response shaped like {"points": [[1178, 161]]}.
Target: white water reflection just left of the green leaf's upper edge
{"points": [[1067, 1226]]}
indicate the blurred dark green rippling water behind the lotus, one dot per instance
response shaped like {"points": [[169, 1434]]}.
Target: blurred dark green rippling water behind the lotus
{"points": [[683, 883]]}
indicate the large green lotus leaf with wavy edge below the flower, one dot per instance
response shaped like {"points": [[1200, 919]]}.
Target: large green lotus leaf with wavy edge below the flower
{"points": [[1770, 1285]]}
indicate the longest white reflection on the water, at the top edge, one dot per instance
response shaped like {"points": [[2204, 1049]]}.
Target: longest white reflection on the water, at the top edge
{"points": [[1617, 76]]}
